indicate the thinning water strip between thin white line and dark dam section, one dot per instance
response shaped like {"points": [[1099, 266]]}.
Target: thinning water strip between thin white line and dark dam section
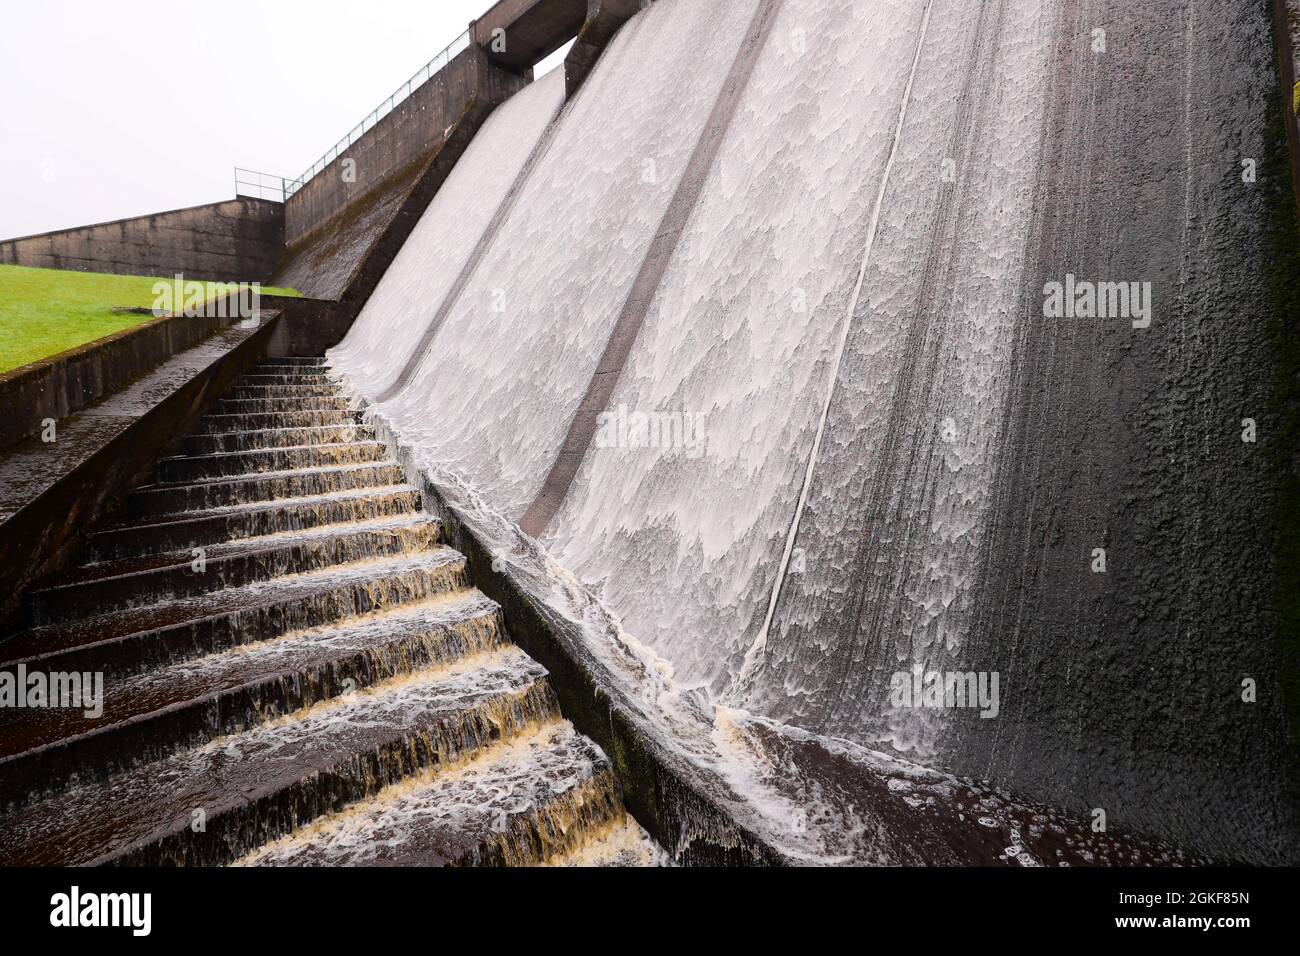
{"points": [[896, 512]]}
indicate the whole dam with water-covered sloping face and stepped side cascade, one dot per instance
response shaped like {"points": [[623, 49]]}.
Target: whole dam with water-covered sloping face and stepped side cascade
{"points": [[731, 465]]}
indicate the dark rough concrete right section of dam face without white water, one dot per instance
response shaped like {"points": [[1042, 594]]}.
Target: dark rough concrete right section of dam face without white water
{"points": [[1134, 443]]}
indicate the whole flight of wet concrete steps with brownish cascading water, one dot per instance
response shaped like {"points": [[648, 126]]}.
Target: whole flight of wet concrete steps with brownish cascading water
{"points": [[296, 671]]}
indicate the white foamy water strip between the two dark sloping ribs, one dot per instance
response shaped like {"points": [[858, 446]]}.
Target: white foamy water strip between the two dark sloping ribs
{"points": [[504, 378]]}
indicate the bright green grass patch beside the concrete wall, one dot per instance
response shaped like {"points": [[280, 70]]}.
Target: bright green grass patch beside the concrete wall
{"points": [[49, 312]]}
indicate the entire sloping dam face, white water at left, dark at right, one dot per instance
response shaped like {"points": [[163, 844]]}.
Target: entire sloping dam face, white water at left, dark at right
{"points": [[830, 343]]}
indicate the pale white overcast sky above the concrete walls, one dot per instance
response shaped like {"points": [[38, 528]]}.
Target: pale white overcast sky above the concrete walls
{"points": [[115, 110]]}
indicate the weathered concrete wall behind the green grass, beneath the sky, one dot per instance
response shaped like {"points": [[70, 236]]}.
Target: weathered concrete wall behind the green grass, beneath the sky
{"points": [[235, 241]]}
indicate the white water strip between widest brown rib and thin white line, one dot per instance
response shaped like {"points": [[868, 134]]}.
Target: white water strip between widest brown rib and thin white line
{"points": [[742, 334]]}
